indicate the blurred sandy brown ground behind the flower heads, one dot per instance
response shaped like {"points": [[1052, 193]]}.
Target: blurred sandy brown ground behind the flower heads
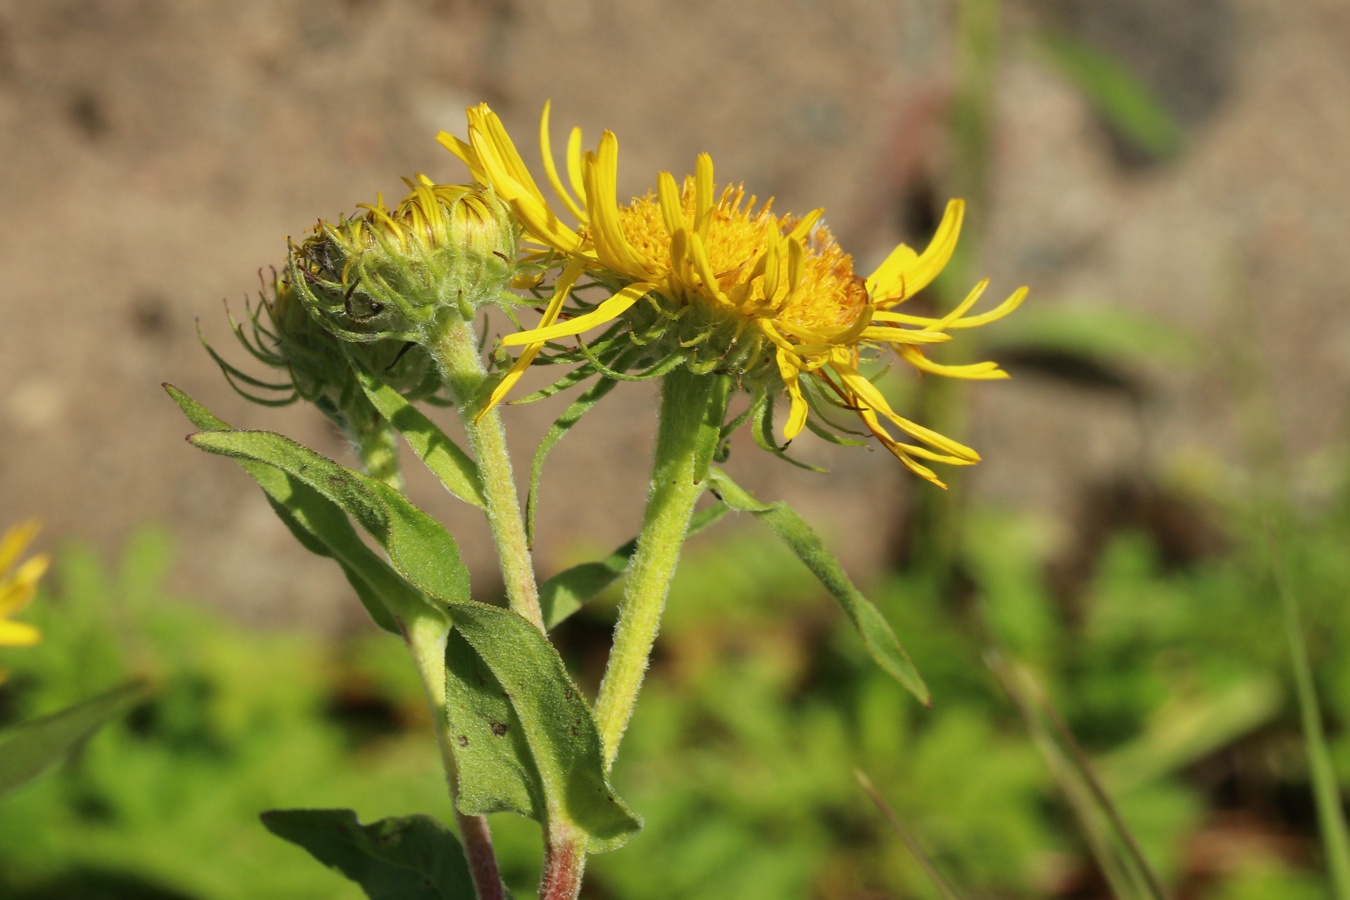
{"points": [[159, 153]]}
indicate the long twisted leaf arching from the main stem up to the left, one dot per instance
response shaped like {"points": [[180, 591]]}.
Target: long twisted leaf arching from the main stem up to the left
{"points": [[560, 732]]}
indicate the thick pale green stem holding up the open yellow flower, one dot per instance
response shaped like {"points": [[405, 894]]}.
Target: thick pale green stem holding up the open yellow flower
{"points": [[693, 408]]}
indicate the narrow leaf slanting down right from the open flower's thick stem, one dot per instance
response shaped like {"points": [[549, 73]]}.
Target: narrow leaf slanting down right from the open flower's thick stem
{"points": [[871, 625]]}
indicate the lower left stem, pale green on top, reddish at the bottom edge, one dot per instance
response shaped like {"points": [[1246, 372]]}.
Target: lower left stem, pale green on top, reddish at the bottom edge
{"points": [[426, 636]]}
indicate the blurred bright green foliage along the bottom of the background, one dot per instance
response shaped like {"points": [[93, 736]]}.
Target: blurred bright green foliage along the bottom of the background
{"points": [[742, 756]]}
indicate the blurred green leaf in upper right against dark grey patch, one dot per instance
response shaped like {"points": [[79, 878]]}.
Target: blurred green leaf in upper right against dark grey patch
{"points": [[1117, 95]]}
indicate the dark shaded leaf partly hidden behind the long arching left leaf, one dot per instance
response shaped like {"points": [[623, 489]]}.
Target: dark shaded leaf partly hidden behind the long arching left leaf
{"points": [[321, 527]]}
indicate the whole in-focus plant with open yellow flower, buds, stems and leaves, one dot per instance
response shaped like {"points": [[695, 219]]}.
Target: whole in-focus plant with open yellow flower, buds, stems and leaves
{"points": [[697, 285]]}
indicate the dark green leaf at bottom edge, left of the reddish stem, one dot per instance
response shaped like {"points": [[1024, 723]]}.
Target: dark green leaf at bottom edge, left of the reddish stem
{"points": [[407, 859]]}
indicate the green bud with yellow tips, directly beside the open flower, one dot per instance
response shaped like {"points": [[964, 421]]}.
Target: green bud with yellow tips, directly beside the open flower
{"points": [[445, 252]]}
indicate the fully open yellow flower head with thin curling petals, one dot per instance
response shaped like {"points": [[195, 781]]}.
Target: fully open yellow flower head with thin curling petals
{"points": [[774, 299]]}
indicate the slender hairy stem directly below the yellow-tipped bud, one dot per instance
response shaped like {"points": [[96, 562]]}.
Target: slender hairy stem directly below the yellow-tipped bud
{"points": [[457, 350]]}
